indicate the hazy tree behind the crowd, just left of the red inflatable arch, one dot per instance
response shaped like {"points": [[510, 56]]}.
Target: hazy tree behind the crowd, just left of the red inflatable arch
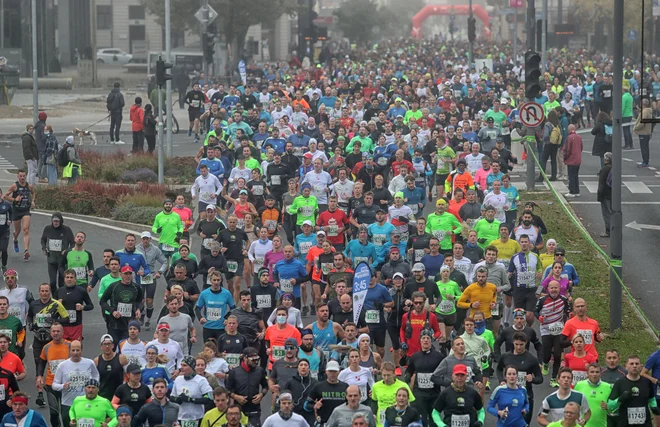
{"points": [[358, 18]]}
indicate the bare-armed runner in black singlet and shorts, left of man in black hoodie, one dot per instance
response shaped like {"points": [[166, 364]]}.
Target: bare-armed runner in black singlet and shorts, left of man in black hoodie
{"points": [[23, 197]]}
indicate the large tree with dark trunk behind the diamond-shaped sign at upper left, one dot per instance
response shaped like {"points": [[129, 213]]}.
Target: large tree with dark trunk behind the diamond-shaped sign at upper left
{"points": [[234, 18]]}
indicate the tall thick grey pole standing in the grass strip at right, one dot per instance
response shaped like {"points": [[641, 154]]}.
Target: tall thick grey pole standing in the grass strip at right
{"points": [[616, 221]]}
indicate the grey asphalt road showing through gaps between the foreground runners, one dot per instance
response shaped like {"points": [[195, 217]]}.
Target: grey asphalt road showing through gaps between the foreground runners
{"points": [[100, 236]]}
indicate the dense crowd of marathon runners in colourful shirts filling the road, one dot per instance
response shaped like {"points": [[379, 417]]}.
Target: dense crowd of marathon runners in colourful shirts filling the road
{"points": [[394, 160]]}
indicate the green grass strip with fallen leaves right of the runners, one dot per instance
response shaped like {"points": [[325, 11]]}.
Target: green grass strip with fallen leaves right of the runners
{"points": [[635, 336]]}
